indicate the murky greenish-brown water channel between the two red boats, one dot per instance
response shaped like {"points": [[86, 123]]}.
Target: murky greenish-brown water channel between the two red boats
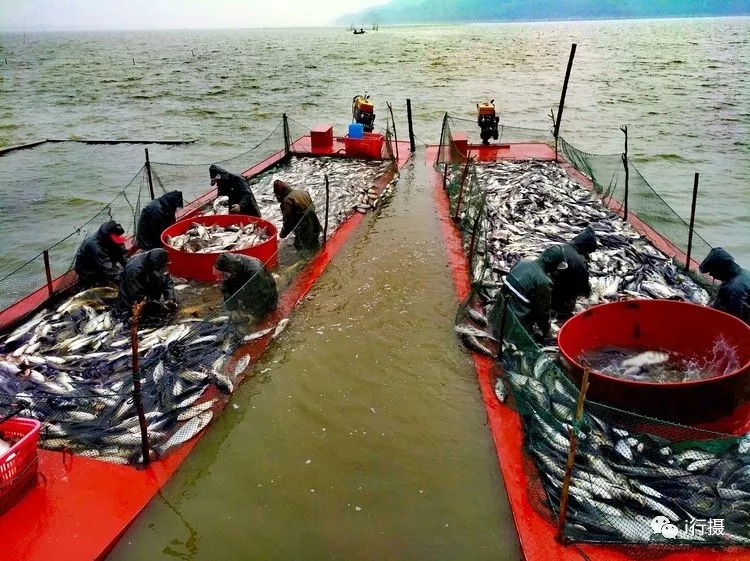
{"points": [[360, 435]]}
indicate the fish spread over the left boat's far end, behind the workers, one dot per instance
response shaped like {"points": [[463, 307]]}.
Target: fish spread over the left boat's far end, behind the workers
{"points": [[350, 187]]}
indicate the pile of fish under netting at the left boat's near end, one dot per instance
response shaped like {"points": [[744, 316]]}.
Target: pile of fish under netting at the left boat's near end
{"points": [[71, 368]]}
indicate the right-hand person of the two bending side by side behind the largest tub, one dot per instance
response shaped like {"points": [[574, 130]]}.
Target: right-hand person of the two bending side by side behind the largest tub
{"points": [[573, 281]]}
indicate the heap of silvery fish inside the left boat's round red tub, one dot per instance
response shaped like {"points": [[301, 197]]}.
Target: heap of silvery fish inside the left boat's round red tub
{"points": [[213, 239]]}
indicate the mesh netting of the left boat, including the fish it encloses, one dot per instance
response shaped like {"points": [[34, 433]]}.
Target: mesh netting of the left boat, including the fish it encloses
{"points": [[71, 363]]}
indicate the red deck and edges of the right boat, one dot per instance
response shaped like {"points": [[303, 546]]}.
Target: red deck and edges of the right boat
{"points": [[535, 533]]}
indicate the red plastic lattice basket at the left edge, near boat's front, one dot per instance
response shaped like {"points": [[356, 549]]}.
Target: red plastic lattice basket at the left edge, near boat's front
{"points": [[18, 465]]}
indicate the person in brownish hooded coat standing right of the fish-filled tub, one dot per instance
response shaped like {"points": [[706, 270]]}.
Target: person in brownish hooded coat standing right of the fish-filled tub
{"points": [[298, 213]]}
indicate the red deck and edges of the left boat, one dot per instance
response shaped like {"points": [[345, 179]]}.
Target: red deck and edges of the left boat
{"points": [[80, 507]]}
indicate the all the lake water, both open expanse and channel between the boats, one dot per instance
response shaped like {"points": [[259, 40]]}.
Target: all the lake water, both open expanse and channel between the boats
{"points": [[369, 442]]}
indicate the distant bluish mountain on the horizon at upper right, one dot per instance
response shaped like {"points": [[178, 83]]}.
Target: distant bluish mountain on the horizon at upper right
{"points": [[466, 11]]}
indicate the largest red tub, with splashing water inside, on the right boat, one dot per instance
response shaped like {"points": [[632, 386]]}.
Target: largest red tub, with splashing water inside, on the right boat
{"points": [[680, 327]]}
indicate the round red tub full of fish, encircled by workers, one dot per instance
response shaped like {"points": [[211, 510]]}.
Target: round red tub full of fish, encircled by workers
{"points": [[199, 266]]}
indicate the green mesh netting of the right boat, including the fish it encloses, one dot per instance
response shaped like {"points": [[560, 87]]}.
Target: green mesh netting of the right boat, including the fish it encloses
{"points": [[644, 484]]}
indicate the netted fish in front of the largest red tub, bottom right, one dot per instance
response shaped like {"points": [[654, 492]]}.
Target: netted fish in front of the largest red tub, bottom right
{"points": [[622, 479]]}
